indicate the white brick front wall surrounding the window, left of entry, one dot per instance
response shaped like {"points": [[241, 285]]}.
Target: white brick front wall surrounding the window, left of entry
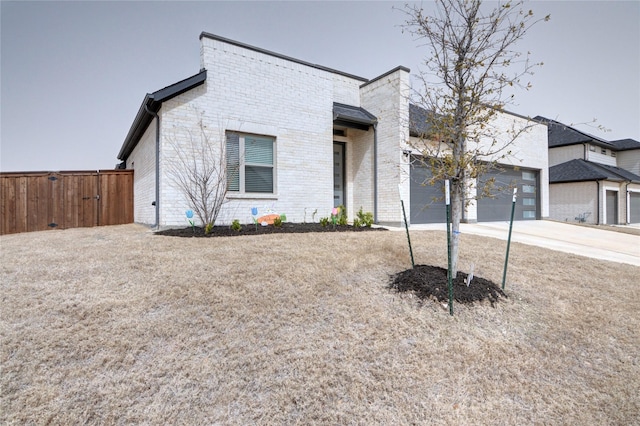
{"points": [[253, 92]]}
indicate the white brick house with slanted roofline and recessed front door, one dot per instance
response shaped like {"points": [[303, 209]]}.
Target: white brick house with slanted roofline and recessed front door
{"points": [[306, 137]]}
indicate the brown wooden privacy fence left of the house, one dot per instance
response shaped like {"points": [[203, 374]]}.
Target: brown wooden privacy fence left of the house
{"points": [[37, 201]]}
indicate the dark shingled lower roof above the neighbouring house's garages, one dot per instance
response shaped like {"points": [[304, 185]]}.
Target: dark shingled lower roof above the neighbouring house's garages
{"points": [[580, 170]]}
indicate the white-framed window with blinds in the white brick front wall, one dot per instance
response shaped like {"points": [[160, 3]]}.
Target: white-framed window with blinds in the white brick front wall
{"points": [[251, 166]]}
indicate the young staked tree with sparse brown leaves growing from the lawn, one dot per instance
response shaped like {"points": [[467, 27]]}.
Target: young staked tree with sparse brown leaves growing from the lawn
{"points": [[470, 68]]}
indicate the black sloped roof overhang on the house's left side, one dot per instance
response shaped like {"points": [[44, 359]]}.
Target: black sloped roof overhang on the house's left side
{"points": [[152, 102]]}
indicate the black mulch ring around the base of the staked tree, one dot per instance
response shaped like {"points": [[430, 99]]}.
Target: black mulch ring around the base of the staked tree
{"points": [[430, 282]]}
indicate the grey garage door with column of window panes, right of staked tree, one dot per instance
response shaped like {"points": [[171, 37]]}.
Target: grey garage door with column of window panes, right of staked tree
{"points": [[498, 207]]}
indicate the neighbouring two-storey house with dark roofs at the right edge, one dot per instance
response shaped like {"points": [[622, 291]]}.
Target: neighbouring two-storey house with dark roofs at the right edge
{"points": [[592, 180]]}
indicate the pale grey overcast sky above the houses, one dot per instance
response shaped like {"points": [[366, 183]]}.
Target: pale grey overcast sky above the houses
{"points": [[73, 74]]}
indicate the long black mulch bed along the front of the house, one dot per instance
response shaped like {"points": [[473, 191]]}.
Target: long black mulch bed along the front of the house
{"points": [[286, 228]]}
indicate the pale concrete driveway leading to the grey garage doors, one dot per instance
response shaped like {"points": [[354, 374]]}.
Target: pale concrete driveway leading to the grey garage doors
{"points": [[584, 241]]}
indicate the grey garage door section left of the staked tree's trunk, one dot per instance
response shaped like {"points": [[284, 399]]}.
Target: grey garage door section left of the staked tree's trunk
{"points": [[427, 202]]}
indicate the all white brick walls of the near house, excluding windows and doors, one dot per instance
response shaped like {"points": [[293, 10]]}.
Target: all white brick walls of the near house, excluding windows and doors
{"points": [[254, 92]]}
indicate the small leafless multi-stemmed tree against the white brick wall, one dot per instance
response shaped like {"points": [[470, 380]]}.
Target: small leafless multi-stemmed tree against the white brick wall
{"points": [[199, 169]]}
